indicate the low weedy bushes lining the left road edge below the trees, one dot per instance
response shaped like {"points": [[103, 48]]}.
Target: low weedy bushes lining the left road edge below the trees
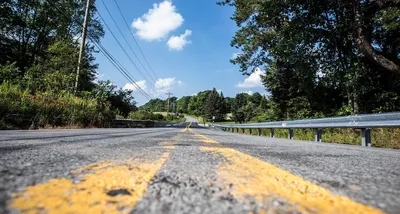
{"points": [[47, 109]]}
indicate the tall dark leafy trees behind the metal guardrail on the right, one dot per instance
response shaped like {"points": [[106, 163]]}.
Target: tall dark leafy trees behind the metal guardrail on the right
{"points": [[322, 58]]}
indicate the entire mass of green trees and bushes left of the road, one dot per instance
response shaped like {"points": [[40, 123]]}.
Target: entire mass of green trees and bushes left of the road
{"points": [[39, 42]]}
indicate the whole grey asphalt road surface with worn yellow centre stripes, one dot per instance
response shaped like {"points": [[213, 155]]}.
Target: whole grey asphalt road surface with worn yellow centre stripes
{"points": [[190, 169]]}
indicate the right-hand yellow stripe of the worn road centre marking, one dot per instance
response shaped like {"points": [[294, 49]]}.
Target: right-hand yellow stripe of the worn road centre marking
{"points": [[253, 177]]}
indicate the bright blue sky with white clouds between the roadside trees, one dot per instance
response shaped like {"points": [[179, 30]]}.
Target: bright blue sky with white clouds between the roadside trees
{"points": [[186, 42]]}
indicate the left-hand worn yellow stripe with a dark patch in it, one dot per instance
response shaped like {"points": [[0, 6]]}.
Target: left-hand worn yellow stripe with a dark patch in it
{"points": [[90, 194]]}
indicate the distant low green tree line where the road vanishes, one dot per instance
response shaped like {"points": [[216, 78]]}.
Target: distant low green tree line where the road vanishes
{"points": [[211, 104]]}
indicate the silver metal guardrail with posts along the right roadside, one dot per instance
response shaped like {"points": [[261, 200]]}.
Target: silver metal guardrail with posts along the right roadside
{"points": [[364, 122]]}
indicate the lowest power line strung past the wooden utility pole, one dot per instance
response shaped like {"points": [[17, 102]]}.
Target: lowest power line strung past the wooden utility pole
{"points": [[112, 59]]}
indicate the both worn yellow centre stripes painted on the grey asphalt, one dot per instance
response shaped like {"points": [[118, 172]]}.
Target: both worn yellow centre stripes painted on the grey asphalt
{"points": [[116, 187]]}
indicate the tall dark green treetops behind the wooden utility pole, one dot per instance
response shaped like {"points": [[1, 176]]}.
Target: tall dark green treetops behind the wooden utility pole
{"points": [[30, 28]]}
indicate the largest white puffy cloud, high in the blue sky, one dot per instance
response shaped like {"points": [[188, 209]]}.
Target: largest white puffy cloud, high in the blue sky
{"points": [[158, 22]]}
